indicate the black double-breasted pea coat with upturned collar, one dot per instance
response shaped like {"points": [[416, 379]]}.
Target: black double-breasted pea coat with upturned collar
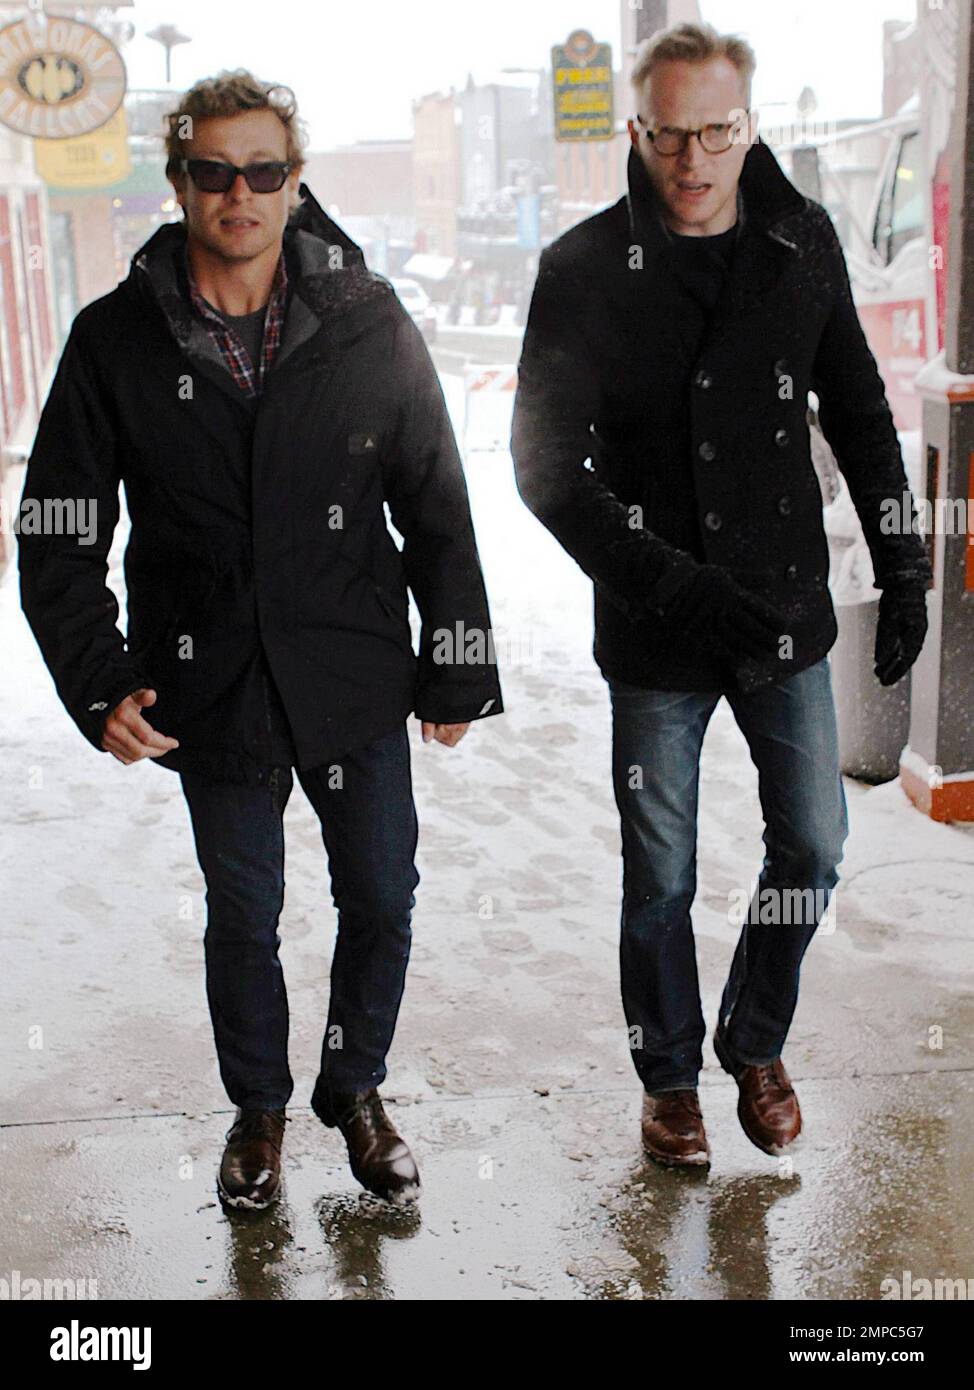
{"points": [[651, 436]]}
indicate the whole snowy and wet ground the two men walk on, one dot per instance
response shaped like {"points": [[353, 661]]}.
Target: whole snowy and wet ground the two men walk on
{"points": [[511, 1072]]}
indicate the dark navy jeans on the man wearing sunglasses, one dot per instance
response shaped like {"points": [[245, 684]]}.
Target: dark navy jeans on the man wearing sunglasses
{"points": [[365, 804]]}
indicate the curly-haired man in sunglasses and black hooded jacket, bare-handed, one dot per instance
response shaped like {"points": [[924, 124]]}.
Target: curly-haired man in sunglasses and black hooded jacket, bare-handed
{"points": [[265, 397]]}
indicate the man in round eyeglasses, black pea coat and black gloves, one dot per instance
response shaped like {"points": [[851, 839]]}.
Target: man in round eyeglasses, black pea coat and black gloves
{"points": [[661, 434]]}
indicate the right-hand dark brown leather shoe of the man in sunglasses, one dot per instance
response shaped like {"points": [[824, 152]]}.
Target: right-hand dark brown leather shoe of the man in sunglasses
{"points": [[380, 1159]]}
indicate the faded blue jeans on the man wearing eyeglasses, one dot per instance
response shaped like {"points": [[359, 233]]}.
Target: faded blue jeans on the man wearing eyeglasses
{"points": [[658, 736]]}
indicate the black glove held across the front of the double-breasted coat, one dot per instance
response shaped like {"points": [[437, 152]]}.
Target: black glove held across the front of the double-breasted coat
{"points": [[716, 612]]}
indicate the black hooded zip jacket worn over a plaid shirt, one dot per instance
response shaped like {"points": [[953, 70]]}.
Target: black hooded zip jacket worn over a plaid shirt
{"points": [[259, 561]]}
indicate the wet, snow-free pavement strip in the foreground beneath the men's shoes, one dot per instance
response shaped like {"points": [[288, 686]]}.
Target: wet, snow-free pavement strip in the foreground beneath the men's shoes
{"points": [[525, 1197]]}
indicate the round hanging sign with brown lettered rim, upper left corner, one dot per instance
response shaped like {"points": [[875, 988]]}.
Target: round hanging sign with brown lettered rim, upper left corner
{"points": [[59, 79]]}
